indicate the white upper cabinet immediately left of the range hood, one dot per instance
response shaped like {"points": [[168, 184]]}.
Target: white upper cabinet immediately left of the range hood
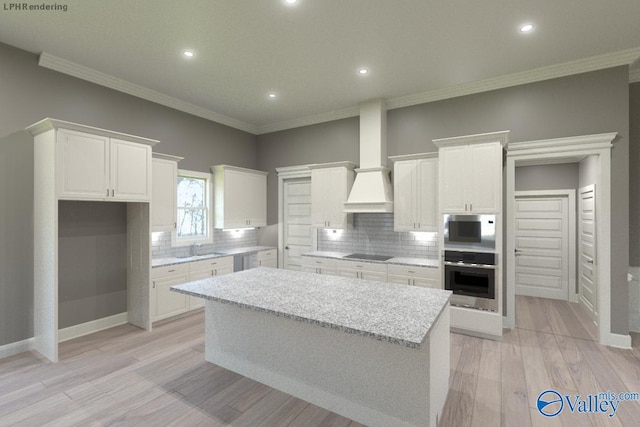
{"points": [[330, 186]]}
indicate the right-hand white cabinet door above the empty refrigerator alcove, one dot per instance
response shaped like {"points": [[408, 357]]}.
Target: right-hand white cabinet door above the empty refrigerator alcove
{"points": [[130, 170]]}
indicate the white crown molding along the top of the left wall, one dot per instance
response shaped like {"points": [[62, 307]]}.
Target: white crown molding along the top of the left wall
{"points": [[85, 73]]}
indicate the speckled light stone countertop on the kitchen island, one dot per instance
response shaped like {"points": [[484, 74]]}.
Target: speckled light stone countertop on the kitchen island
{"points": [[397, 314]]}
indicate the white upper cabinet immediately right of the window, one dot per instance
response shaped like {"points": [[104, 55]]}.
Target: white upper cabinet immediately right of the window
{"points": [[240, 197]]}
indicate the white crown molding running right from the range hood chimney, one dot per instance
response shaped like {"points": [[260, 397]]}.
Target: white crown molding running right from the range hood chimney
{"points": [[594, 63]]}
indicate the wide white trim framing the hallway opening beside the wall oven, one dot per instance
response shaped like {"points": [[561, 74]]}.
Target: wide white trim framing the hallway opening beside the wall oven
{"points": [[567, 150]]}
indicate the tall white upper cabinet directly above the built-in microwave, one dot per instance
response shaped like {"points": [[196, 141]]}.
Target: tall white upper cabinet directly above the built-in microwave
{"points": [[471, 173]]}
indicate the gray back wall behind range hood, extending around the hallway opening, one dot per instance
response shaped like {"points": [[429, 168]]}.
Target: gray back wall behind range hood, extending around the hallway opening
{"points": [[588, 103]]}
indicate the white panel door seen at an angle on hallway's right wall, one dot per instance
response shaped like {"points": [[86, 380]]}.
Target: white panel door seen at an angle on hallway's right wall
{"points": [[588, 285]]}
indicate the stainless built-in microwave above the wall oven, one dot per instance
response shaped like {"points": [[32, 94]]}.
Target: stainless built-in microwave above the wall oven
{"points": [[470, 232]]}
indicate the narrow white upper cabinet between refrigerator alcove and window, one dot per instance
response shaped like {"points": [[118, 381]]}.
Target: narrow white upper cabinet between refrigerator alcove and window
{"points": [[164, 192]]}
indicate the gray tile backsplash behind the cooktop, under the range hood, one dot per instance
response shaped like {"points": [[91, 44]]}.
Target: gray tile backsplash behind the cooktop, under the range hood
{"points": [[373, 234]]}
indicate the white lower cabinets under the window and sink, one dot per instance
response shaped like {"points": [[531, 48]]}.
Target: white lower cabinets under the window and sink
{"points": [[164, 302]]}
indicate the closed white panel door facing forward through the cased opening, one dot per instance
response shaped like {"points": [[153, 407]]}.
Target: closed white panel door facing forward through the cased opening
{"points": [[542, 247]]}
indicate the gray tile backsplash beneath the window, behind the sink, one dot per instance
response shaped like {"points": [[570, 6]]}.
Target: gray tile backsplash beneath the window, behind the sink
{"points": [[222, 239]]}
